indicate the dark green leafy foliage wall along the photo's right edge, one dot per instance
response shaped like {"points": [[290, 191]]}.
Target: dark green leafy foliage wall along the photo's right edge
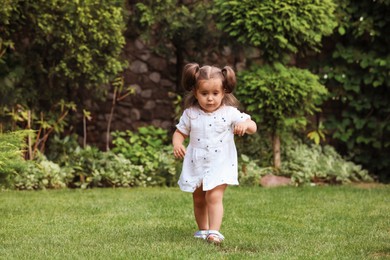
{"points": [[357, 75]]}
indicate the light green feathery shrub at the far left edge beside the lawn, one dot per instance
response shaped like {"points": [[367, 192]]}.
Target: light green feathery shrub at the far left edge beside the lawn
{"points": [[11, 155]]}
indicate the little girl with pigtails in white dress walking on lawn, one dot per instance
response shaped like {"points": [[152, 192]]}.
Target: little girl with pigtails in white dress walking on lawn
{"points": [[210, 120]]}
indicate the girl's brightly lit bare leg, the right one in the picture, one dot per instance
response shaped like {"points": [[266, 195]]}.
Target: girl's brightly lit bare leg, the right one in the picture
{"points": [[214, 199]]}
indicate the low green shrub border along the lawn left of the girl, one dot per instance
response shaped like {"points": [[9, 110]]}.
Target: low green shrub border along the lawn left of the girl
{"points": [[69, 165]]}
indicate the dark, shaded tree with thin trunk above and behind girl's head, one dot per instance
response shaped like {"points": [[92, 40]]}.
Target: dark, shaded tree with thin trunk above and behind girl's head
{"points": [[182, 28]]}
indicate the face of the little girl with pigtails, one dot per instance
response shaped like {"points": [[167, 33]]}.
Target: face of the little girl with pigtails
{"points": [[210, 94]]}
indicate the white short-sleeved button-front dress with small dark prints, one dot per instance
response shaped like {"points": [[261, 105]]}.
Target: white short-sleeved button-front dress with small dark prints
{"points": [[211, 156]]}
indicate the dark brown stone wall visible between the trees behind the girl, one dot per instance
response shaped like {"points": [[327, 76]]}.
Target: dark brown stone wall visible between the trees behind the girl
{"points": [[154, 81]]}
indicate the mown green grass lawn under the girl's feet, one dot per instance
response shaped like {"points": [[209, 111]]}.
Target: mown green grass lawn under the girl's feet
{"points": [[151, 223]]}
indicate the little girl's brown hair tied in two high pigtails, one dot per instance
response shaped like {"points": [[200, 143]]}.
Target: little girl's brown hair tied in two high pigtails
{"points": [[193, 74]]}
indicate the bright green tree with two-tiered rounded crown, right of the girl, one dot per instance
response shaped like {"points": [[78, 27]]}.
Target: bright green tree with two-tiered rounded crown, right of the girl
{"points": [[280, 29]]}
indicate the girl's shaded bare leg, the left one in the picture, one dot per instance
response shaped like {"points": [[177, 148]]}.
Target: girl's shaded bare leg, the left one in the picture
{"points": [[200, 209]]}
